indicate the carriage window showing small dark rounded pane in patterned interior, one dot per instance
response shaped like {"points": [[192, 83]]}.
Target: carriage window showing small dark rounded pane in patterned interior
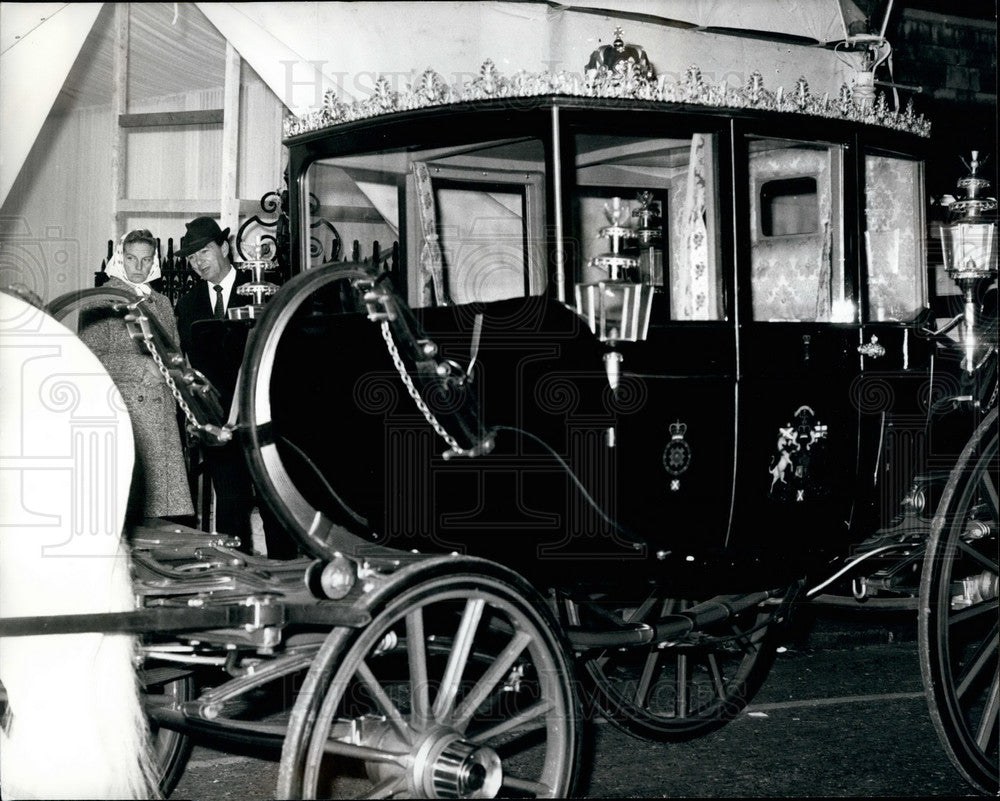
{"points": [[796, 233]]}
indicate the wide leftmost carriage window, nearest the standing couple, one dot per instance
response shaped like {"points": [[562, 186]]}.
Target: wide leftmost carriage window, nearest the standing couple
{"points": [[471, 217]]}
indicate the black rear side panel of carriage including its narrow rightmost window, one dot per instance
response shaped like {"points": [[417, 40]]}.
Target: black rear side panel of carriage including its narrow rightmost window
{"points": [[894, 392]]}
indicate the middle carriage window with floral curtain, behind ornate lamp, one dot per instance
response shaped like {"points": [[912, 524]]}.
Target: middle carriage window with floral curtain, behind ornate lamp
{"points": [[646, 211]]}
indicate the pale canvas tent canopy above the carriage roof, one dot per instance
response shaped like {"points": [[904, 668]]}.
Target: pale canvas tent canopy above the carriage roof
{"points": [[302, 50]]}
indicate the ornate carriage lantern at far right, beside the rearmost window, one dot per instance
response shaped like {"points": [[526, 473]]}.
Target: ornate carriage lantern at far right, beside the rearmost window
{"points": [[969, 241]]}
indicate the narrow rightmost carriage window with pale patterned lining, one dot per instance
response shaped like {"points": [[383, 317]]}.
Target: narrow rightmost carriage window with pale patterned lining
{"points": [[897, 287]]}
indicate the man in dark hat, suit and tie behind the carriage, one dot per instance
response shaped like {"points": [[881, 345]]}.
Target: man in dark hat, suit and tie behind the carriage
{"points": [[217, 351]]}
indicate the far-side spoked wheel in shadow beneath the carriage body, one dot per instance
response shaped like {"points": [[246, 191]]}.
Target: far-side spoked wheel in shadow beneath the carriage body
{"points": [[677, 690]]}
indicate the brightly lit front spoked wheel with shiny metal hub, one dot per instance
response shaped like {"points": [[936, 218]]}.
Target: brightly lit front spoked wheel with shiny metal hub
{"points": [[460, 687]]}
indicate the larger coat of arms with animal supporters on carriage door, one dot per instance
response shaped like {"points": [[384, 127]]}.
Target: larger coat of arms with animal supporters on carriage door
{"points": [[799, 463]]}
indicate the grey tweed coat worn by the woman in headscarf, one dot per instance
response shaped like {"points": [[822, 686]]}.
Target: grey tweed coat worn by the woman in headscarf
{"points": [[159, 481]]}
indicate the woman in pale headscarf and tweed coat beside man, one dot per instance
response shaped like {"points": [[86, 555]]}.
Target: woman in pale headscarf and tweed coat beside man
{"points": [[159, 481]]}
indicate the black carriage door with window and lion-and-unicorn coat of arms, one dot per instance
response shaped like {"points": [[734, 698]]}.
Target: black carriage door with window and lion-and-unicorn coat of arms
{"points": [[798, 338]]}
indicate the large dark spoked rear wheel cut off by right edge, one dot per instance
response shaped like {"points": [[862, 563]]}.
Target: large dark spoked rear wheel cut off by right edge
{"points": [[958, 623]]}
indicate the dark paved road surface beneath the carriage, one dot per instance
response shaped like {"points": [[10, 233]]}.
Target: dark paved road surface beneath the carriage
{"points": [[842, 714]]}
